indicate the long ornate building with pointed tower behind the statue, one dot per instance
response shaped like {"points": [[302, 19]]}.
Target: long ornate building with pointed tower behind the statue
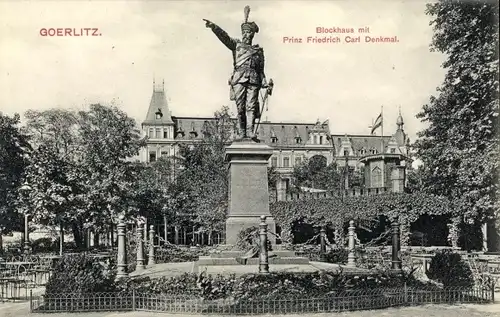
{"points": [[292, 142]]}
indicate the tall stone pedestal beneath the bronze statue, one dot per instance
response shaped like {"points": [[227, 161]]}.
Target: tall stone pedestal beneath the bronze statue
{"points": [[248, 188]]}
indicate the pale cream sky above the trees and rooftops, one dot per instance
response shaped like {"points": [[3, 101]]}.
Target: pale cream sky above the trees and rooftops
{"points": [[346, 83]]}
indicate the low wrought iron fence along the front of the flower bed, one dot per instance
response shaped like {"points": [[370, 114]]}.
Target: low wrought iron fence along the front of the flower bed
{"points": [[335, 302]]}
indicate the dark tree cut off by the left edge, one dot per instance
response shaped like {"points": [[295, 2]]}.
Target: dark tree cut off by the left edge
{"points": [[13, 151]]}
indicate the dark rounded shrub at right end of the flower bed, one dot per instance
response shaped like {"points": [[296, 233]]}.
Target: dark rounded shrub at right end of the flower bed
{"points": [[449, 269]]}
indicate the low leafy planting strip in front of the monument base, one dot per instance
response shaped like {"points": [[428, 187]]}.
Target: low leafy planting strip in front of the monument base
{"points": [[262, 287]]}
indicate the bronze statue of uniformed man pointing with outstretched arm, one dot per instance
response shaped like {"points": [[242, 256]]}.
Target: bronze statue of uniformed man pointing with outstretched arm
{"points": [[248, 74]]}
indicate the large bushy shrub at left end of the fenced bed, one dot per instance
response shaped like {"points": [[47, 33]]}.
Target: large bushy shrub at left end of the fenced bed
{"points": [[82, 274]]}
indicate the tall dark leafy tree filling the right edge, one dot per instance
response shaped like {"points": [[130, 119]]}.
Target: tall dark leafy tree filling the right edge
{"points": [[459, 148]]}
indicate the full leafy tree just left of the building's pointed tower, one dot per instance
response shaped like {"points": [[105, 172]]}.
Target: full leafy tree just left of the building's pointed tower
{"points": [[108, 138]]}
